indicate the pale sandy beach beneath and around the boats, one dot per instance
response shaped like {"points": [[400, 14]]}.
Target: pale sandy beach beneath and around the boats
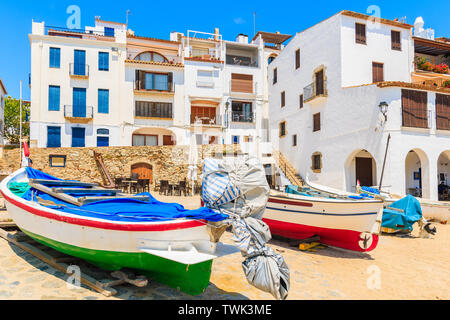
{"points": [[399, 268]]}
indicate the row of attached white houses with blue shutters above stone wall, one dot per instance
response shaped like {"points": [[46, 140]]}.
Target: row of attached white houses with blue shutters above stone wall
{"points": [[108, 86]]}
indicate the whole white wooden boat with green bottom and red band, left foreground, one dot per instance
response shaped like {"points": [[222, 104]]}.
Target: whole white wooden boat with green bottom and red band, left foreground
{"points": [[178, 252]]}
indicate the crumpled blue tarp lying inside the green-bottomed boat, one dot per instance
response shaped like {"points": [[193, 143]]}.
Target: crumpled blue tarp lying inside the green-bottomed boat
{"points": [[128, 209]]}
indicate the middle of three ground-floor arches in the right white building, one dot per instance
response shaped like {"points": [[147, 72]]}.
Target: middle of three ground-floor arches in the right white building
{"points": [[417, 173]]}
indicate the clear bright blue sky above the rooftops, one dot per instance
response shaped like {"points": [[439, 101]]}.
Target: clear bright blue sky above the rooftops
{"points": [[158, 18]]}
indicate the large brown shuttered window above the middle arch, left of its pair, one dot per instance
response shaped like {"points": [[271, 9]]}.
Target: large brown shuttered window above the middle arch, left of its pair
{"points": [[414, 109]]}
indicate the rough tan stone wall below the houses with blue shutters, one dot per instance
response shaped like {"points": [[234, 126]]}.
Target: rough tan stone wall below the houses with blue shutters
{"points": [[168, 162]]}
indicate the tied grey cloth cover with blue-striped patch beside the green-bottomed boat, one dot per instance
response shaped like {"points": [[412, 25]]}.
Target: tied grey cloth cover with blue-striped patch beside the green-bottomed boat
{"points": [[238, 188]]}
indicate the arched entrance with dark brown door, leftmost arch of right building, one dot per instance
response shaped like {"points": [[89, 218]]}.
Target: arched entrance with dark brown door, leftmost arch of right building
{"points": [[360, 166]]}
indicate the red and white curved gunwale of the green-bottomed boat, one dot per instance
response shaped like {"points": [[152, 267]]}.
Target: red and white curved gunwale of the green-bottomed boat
{"points": [[49, 213]]}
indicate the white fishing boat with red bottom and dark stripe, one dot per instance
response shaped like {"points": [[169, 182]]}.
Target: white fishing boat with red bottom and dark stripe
{"points": [[346, 221]]}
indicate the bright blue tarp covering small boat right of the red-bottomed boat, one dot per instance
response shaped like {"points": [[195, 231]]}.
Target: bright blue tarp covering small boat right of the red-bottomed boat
{"points": [[402, 220]]}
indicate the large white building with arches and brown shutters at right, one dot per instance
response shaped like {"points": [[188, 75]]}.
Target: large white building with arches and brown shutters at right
{"points": [[329, 89]]}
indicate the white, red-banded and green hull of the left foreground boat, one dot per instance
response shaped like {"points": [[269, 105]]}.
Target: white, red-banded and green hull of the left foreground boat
{"points": [[116, 245]]}
